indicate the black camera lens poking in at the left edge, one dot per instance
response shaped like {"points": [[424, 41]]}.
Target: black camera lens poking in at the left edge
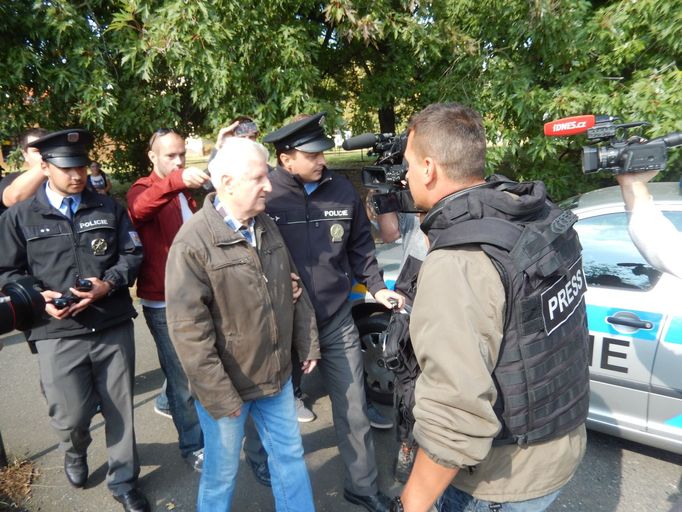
{"points": [[21, 305]]}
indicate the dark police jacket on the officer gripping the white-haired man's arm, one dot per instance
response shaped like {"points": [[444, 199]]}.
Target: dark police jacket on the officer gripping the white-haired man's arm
{"points": [[329, 237]]}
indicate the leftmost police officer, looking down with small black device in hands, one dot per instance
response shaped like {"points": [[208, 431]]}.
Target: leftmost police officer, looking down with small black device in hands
{"points": [[82, 249]]}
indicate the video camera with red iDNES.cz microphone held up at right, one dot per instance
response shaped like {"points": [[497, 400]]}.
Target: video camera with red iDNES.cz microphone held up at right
{"points": [[620, 154]]}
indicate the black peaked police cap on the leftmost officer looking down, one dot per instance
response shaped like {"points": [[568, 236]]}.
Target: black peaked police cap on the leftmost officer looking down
{"points": [[65, 148]]}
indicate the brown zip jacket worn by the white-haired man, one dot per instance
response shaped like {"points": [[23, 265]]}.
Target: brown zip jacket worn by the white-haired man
{"points": [[230, 311]]}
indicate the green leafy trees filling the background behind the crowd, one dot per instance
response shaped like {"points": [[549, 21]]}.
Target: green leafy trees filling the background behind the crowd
{"points": [[124, 68]]}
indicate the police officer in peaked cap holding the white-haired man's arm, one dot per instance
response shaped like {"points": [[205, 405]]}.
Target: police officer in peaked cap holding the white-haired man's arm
{"points": [[323, 222]]}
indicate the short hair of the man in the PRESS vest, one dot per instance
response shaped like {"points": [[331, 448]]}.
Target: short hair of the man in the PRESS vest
{"points": [[453, 135]]}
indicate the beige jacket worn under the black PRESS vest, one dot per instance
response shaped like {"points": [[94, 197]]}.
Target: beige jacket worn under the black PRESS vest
{"points": [[456, 329]]}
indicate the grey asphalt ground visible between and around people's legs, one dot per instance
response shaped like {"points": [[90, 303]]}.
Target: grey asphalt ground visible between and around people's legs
{"points": [[615, 476]]}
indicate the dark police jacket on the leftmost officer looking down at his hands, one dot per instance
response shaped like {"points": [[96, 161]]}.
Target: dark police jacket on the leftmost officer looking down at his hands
{"points": [[100, 241]]}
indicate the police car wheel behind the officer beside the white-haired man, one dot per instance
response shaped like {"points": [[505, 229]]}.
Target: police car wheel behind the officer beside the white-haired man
{"points": [[378, 379]]}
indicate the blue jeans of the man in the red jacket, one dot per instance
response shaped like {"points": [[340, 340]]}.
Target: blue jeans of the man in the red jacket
{"points": [[180, 401]]}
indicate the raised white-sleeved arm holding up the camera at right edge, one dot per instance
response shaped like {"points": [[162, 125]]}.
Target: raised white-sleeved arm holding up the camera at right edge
{"points": [[655, 237]]}
